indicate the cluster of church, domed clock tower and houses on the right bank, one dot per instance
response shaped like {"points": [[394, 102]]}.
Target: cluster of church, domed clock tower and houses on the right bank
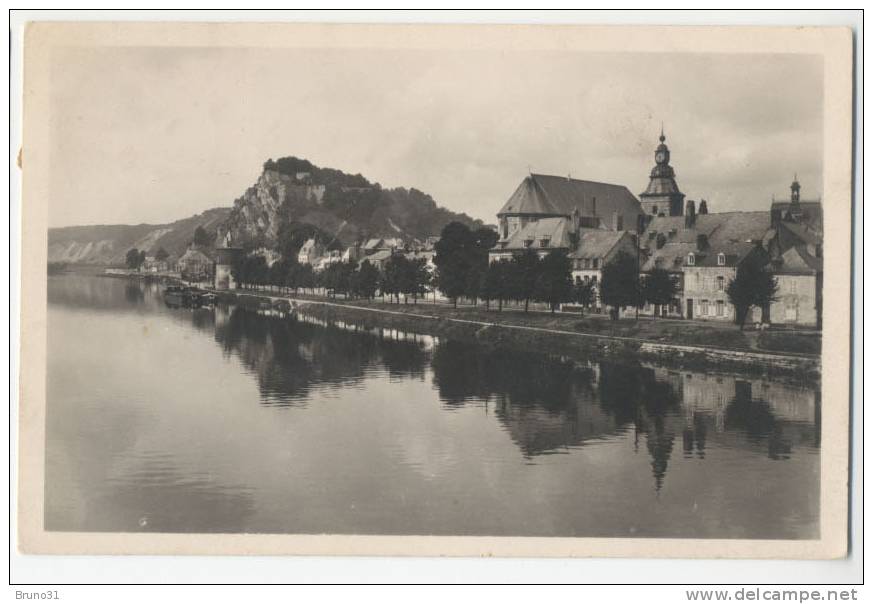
{"points": [[593, 222]]}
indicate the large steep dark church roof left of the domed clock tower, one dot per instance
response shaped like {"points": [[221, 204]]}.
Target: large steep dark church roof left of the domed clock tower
{"points": [[560, 195]]}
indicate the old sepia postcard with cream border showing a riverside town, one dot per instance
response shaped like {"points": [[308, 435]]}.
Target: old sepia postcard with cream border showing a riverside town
{"points": [[435, 290]]}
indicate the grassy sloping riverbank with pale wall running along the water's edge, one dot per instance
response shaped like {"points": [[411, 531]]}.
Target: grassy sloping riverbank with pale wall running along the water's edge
{"points": [[660, 342]]}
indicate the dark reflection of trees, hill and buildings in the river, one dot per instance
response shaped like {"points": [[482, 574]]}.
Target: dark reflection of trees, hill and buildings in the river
{"points": [[546, 404]]}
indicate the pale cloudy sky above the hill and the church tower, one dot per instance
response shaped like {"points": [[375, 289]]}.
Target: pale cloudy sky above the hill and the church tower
{"points": [[158, 134]]}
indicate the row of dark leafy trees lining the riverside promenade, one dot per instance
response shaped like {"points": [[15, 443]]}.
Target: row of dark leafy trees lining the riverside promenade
{"points": [[463, 270]]}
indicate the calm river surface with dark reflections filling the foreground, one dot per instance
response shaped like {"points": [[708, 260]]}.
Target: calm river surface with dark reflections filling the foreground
{"points": [[227, 420]]}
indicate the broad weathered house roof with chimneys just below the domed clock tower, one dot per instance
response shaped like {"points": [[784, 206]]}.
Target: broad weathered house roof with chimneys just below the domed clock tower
{"points": [[733, 234]]}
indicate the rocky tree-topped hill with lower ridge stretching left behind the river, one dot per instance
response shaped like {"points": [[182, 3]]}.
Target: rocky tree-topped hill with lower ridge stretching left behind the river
{"points": [[291, 199]]}
